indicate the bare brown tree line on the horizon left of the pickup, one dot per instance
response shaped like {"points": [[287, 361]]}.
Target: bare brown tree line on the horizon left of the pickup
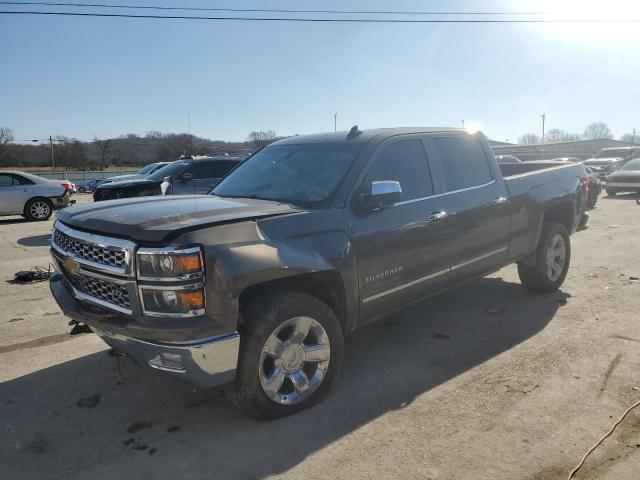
{"points": [[131, 150]]}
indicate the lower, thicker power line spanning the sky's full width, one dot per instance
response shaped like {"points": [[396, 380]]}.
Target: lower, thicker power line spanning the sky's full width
{"points": [[314, 20]]}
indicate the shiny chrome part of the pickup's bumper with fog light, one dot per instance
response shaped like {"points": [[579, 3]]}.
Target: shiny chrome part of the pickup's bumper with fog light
{"points": [[204, 363]]}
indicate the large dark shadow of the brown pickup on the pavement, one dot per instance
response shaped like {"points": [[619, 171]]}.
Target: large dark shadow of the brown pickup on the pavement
{"points": [[82, 418]]}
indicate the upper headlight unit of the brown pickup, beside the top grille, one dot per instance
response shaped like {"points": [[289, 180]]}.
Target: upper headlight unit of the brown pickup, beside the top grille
{"points": [[170, 263]]}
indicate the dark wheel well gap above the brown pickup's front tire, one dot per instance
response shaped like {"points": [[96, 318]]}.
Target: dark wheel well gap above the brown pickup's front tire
{"points": [[326, 286]]}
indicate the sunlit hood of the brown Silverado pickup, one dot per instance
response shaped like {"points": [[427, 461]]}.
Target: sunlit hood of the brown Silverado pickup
{"points": [[153, 220]]}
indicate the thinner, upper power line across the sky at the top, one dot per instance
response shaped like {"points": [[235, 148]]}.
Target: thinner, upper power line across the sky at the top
{"points": [[264, 10]]}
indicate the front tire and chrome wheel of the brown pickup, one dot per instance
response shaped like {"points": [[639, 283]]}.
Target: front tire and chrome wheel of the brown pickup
{"points": [[270, 354]]}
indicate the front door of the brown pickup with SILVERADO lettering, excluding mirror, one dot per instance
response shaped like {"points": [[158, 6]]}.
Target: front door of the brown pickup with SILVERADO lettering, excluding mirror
{"points": [[401, 250]]}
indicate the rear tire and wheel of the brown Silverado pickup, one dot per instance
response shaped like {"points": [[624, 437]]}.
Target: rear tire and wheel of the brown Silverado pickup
{"points": [[548, 272]]}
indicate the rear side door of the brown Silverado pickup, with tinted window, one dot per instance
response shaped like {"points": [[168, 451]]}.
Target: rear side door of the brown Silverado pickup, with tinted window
{"points": [[476, 199]]}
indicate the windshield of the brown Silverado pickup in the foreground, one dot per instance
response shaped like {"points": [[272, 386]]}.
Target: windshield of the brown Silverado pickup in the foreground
{"points": [[301, 174]]}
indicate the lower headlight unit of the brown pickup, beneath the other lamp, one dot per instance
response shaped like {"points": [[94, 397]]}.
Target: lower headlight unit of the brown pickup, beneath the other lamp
{"points": [[169, 301]]}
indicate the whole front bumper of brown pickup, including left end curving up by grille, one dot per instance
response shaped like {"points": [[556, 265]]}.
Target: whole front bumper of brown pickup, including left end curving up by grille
{"points": [[205, 362]]}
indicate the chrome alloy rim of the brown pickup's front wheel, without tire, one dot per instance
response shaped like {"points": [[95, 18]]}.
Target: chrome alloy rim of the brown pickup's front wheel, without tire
{"points": [[294, 360]]}
